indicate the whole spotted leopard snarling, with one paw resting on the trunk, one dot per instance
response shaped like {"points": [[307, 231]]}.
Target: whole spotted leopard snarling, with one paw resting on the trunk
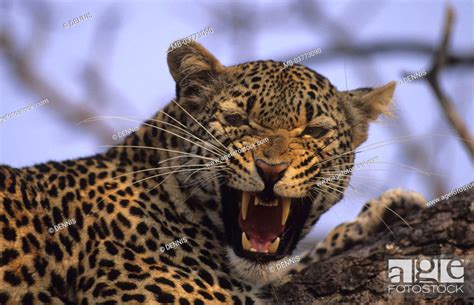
{"points": [[188, 209]]}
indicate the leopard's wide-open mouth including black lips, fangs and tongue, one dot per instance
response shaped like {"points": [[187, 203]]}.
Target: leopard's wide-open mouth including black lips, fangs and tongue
{"points": [[262, 227]]}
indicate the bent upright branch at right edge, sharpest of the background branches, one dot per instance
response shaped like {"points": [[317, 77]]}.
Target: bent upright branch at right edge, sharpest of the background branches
{"points": [[439, 62]]}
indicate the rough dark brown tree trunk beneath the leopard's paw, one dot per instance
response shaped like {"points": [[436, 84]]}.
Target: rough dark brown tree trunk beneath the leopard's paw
{"points": [[360, 274]]}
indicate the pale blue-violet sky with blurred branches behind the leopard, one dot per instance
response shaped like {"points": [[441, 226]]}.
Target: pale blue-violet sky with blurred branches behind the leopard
{"points": [[114, 63]]}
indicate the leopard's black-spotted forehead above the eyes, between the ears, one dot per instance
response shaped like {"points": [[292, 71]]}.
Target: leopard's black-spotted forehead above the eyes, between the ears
{"points": [[278, 97]]}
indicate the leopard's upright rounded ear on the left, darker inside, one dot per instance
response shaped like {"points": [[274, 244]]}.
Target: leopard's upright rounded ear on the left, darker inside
{"points": [[195, 71]]}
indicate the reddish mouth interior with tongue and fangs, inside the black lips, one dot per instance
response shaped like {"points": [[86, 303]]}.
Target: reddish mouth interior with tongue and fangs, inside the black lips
{"points": [[263, 223]]}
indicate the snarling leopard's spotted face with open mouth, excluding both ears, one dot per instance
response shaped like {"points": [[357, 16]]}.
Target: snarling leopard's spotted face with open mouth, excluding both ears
{"points": [[289, 127]]}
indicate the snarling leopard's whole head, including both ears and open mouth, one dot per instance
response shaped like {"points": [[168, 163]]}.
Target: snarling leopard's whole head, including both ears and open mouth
{"points": [[287, 129]]}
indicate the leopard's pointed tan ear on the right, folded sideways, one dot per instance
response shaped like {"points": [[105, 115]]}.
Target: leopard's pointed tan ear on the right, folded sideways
{"points": [[365, 105]]}
